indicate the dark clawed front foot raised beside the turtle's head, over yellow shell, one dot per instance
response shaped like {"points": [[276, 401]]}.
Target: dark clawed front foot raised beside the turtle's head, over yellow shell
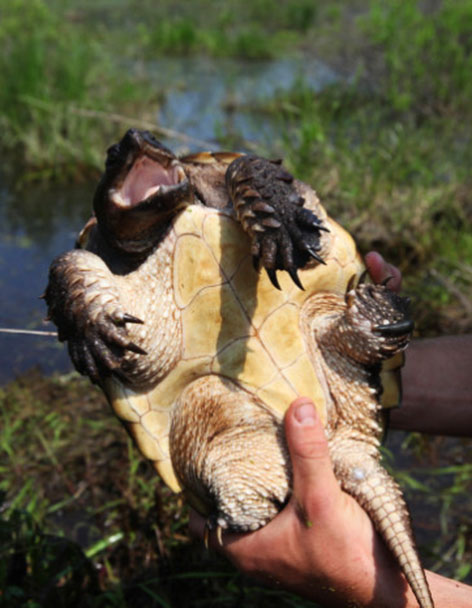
{"points": [[284, 234]]}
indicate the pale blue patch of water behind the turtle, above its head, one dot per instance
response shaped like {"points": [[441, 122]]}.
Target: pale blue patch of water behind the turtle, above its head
{"points": [[207, 96]]}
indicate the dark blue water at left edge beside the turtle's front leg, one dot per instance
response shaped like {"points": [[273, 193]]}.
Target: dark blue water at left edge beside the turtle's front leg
{"points": [[36, 224]]}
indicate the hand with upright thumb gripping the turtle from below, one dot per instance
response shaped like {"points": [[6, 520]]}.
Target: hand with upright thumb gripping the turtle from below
{"points": [[322, 545]]}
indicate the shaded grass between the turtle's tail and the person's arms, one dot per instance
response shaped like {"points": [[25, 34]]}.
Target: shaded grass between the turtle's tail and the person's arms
{"points": [[436, 480]]}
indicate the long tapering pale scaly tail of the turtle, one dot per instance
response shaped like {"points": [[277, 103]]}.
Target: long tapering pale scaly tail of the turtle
{"points": [[379, 495]]}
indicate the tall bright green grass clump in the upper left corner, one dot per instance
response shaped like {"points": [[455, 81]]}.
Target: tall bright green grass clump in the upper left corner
{"points": [[48, 69]]}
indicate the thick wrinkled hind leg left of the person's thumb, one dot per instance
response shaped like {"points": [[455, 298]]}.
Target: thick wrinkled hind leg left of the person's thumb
{"points": [[229, 454]]}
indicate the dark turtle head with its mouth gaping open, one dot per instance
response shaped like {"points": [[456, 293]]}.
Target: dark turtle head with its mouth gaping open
{"points": [[143, 187]]}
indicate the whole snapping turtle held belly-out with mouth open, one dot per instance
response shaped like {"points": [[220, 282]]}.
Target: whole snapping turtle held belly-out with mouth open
{"points": [[199, 353]]}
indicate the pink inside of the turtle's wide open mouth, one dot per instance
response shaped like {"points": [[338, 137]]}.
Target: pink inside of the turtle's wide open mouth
{"points": [[147, 180]]}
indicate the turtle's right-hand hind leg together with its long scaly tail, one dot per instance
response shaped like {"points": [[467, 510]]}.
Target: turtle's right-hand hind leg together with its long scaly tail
{"points": [[354, 430]]}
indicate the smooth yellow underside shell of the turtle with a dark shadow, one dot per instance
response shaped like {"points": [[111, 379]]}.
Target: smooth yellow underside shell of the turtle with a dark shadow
{"points": [[234, 324]]}
